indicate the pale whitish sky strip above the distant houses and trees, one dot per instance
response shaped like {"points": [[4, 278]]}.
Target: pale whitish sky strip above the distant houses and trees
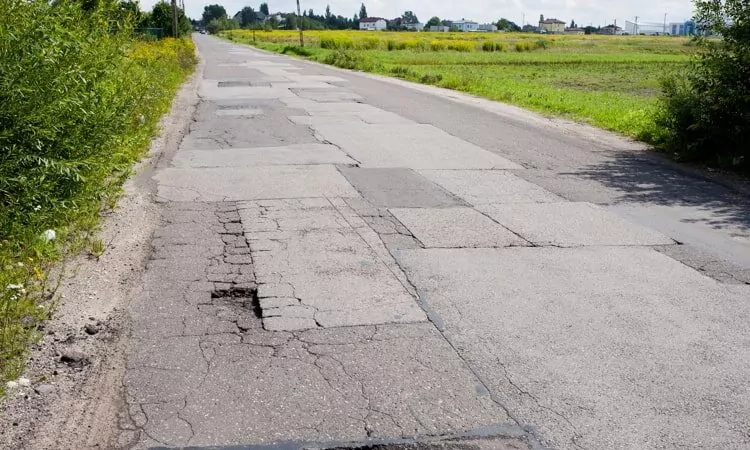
{"points": [[584, 12]]}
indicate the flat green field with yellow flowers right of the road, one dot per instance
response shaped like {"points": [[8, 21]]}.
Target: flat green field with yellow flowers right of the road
{"points": [[611, 82]]}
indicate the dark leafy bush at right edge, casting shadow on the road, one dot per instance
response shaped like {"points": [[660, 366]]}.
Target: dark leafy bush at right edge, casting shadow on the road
{"points": [[705, 111]]}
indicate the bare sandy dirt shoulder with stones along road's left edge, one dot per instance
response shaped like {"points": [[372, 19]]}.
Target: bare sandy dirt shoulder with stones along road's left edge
{"points": [[74, 397]]}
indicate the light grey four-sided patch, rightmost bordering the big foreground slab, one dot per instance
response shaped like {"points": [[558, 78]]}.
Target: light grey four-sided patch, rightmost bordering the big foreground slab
{"points": [[571, 224]]}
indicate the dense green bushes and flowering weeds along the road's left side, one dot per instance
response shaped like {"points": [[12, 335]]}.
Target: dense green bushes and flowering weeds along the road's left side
{"points": [[80, 103]]}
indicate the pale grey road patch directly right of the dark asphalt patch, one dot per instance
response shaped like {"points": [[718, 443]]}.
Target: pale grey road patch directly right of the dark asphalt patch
{"points": [[489, 186]]}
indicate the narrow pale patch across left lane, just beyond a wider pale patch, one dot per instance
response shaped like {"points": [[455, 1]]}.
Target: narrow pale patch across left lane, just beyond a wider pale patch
{"points": [[297, 154]]}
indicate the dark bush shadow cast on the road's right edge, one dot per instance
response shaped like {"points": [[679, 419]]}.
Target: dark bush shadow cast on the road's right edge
{"points": [[641, 180]]}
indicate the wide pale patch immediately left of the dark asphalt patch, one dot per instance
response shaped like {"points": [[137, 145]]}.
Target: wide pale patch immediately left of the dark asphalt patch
{"points": [[232, 183]]}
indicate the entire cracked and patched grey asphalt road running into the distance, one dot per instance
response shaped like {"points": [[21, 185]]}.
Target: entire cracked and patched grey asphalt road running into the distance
{"points": [[346, 261]]}
